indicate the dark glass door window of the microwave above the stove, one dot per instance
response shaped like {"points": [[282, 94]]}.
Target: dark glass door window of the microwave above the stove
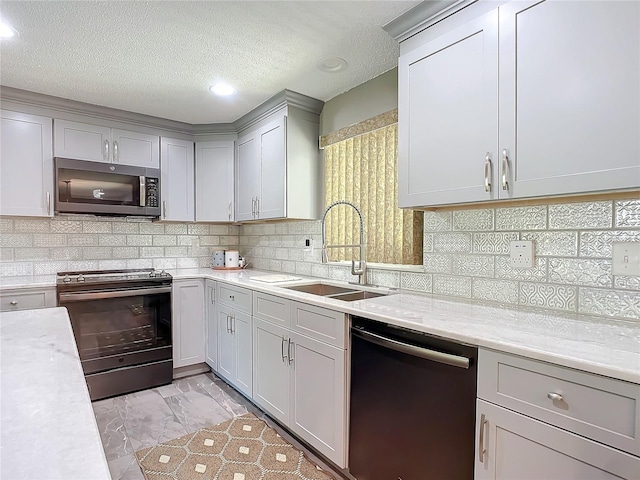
{"points": [[97, 188]]}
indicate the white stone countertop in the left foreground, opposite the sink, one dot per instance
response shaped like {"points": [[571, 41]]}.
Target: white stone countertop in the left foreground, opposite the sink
{"points": [[48, 430]]}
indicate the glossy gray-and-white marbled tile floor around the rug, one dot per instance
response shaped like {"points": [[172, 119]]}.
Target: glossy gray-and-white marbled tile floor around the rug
{"points": [[143, 419]]}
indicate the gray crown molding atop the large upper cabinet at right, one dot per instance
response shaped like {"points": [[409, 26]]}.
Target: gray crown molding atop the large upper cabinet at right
{"points": [[423, 16]]}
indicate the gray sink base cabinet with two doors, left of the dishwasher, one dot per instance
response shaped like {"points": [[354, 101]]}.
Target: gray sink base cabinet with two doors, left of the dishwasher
{"points": [[298, 379]]}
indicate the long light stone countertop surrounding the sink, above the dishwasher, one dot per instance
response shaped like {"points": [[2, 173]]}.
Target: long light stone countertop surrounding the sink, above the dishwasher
{"points": [[592, 344]]}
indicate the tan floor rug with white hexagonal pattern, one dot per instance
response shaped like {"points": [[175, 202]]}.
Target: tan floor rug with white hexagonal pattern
{"points": [[243, 448]]}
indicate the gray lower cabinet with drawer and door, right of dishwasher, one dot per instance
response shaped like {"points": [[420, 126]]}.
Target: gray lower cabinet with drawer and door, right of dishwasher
{"points": [[541, 421]]}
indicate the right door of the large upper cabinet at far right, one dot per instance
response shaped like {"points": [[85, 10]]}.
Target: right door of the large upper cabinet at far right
{"points": [[569, 96]]}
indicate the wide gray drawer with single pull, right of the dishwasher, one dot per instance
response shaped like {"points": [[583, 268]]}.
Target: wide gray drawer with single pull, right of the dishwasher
{"points": [[601, 408]]}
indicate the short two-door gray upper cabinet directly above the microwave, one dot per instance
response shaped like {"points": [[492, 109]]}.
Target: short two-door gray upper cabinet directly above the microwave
{"points": [[103, 144]]}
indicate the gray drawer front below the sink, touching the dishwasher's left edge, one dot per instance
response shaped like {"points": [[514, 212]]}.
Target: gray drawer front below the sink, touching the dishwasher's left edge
{"points": [[319, 323]]}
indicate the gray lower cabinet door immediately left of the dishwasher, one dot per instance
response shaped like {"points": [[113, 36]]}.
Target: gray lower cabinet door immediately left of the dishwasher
{"points": [[318, 396]]}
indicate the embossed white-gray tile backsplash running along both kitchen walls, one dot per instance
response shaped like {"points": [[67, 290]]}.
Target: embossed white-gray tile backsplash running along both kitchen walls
{"points": [[466, 252]]}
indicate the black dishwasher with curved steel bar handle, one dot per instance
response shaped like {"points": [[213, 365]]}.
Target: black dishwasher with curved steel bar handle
{"points": [[413, 405]]}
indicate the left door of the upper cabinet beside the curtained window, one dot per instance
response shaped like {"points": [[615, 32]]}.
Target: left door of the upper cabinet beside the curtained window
{"points": [[248, 176]]}
